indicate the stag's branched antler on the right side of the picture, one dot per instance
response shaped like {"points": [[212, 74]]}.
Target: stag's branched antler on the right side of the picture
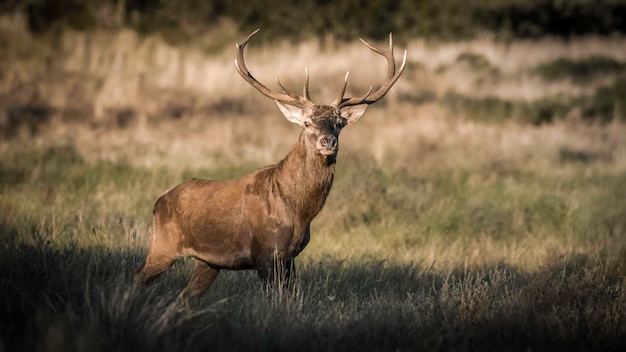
{"points": [[392, 77]]}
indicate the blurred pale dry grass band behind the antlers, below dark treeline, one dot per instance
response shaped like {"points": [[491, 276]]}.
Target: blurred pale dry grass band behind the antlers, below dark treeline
{"points": [[99, 73]]}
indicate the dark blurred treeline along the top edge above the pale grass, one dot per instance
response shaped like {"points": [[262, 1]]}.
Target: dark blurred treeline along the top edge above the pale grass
{"points": [[180, 20]]}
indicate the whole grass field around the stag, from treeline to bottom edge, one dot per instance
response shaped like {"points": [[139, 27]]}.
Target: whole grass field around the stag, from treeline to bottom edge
{"points": [[452, 224]]}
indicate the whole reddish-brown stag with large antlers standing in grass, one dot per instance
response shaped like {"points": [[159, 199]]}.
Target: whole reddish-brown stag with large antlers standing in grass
{"points": [[260, 221]]}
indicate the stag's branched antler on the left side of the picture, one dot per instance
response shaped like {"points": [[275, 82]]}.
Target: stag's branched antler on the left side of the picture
{"points": [[285, 97]]}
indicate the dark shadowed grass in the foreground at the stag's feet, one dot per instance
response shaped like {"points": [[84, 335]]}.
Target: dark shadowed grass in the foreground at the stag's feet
{"points": [[82, 299]]}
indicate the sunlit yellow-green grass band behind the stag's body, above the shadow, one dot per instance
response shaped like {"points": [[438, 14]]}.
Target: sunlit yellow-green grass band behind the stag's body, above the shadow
{"points": [[450, 191]]}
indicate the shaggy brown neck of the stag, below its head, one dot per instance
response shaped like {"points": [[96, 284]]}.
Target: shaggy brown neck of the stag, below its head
{"points": [[306, 178]]}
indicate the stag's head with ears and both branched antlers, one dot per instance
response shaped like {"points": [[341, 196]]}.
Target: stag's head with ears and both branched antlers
{"points": [[323, 123]]}
